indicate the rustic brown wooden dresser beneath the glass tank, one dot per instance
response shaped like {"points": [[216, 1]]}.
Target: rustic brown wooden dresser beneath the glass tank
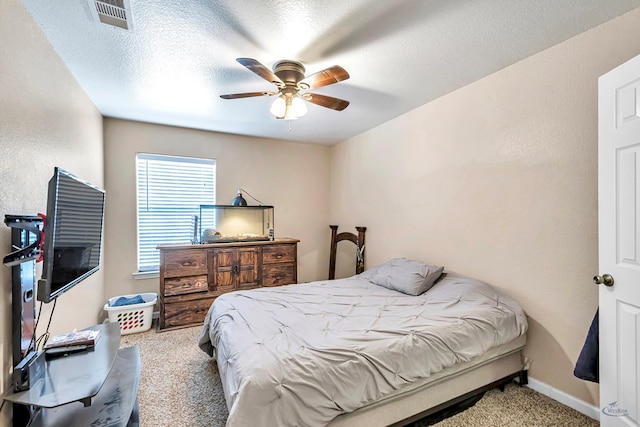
{"points": [[192, 276]]}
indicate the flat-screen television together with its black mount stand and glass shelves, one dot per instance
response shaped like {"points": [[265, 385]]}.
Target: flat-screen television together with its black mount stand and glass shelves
{"points": [[104, 379]]}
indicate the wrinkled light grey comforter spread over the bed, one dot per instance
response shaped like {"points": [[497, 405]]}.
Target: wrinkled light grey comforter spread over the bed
{"points": [[300, 355]]}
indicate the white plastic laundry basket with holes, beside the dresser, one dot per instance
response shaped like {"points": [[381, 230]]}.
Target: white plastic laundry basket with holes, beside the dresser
{"points": [[133, 317]]}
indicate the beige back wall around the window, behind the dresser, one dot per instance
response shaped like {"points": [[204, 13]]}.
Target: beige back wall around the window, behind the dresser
{"points": [[292, 177]]}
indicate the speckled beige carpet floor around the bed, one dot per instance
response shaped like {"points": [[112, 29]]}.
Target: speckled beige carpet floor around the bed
{"points": [[180, 386]]}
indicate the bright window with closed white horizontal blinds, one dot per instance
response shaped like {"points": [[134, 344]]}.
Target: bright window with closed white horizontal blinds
{"points": [[170, 191]]}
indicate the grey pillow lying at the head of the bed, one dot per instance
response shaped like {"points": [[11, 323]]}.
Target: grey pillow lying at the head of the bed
{"points": [[404, 275]]}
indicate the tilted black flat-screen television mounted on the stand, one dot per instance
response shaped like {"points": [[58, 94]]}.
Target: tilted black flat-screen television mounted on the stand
{"points": [[72, 234]]}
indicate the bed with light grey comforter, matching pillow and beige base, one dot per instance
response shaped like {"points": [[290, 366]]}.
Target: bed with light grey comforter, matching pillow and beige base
{"points": [[372, 349]]}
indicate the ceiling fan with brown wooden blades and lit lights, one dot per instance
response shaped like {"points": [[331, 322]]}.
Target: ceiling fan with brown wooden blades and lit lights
{"points": [[289, 78]]}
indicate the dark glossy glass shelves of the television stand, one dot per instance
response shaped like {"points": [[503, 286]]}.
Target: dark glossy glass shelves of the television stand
{"points": [[94, 387]]}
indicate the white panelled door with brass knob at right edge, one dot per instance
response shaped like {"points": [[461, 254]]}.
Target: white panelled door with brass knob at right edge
{"points": [[619, 244]]}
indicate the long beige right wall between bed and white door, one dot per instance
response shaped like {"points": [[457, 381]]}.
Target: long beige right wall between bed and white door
{"points": [[498, 180]]}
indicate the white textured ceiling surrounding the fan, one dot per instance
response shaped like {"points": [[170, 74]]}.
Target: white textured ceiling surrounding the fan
{"points": [[172, 67]]}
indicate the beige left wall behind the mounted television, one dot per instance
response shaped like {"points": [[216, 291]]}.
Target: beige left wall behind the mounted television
{"points": [[46, 120]]}
